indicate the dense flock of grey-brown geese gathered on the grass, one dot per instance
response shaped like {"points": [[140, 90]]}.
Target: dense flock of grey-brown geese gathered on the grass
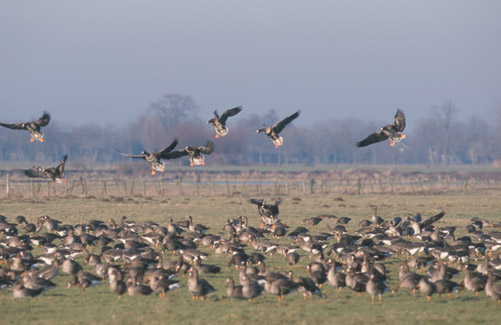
{"points": [[134, 257]]}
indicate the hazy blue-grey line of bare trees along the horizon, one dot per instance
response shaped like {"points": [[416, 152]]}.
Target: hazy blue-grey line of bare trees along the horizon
{"points": [[438, 139]]}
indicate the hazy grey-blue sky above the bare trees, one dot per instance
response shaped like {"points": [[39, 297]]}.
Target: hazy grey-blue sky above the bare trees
{"points": [[108, 60]]}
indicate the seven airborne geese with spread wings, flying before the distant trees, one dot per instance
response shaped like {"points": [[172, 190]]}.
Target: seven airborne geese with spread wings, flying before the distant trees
{"points": [[393, 132]]}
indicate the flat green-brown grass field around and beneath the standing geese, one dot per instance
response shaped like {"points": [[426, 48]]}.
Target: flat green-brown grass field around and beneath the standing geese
{"points": [[98, 305]]}
